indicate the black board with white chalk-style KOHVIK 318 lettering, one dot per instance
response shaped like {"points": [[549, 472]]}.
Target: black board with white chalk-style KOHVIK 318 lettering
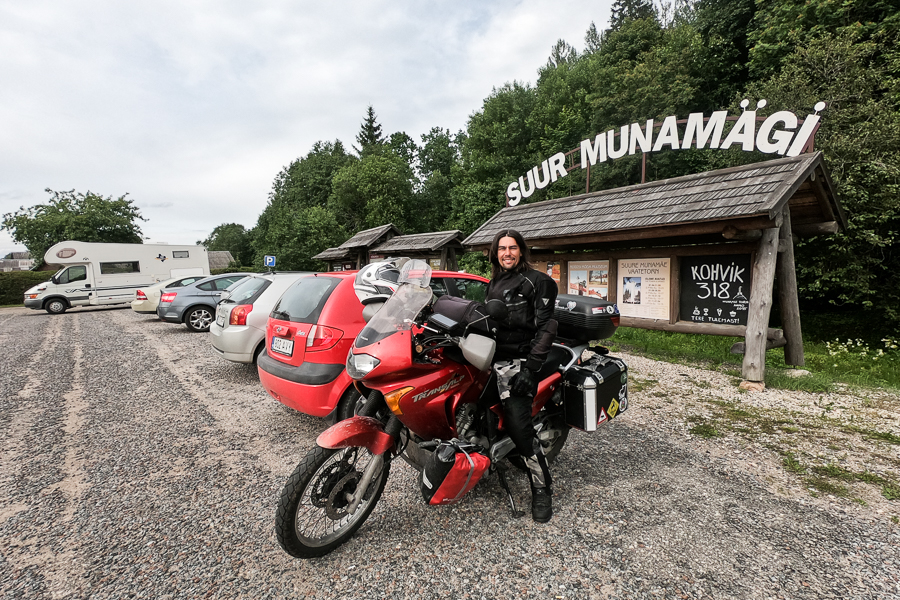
{"points": [[715, 289]]}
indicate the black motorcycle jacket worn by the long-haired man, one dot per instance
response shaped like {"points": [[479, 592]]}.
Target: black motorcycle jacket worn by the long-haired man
{"points": [[529, 329]]}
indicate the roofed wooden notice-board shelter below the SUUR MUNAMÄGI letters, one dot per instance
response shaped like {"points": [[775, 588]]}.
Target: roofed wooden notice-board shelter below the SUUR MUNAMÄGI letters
{"points": [[650, 247]]}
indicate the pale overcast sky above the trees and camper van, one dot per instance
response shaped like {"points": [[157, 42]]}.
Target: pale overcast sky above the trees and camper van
{"points": [[192, 108]]}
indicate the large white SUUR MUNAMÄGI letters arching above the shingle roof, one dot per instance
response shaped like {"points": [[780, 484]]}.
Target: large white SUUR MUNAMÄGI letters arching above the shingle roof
{"points": [[775, 135]]}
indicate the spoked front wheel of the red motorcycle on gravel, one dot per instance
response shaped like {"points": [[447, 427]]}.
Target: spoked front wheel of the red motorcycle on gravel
{"points": [[313, 517]]}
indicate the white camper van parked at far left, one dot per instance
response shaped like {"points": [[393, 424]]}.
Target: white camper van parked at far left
{"points": [[96, 274]]}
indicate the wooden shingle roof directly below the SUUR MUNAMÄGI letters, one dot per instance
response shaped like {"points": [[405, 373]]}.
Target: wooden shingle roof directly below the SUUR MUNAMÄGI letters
{"points": [[747, 196]]}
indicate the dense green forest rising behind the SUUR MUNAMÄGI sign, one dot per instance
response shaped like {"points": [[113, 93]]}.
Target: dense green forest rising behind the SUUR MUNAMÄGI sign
{"points": [[652, 62]]}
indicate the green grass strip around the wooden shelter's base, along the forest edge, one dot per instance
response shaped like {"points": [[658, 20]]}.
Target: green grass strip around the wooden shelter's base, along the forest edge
{"points": [[714, 352]]}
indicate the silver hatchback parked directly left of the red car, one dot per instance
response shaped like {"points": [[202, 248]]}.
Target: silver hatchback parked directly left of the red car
{"points": [[239, 330]]}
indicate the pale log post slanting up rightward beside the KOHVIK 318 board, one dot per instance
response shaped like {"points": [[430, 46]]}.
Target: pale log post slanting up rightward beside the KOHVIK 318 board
{"points": [[763, 282]]}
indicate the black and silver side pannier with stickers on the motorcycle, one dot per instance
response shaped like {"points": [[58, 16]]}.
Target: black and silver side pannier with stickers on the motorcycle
{"points": [[595, 392]]}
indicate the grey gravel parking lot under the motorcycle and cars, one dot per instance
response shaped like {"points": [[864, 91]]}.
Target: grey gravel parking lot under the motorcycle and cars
{"points": [[136, 463]]}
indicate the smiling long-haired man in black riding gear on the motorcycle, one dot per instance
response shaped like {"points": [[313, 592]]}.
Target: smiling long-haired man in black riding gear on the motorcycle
{"points": [[524, 339]]}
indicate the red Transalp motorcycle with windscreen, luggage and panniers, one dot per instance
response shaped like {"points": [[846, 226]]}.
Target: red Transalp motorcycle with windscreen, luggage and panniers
{"points": [[423, 367]]}
